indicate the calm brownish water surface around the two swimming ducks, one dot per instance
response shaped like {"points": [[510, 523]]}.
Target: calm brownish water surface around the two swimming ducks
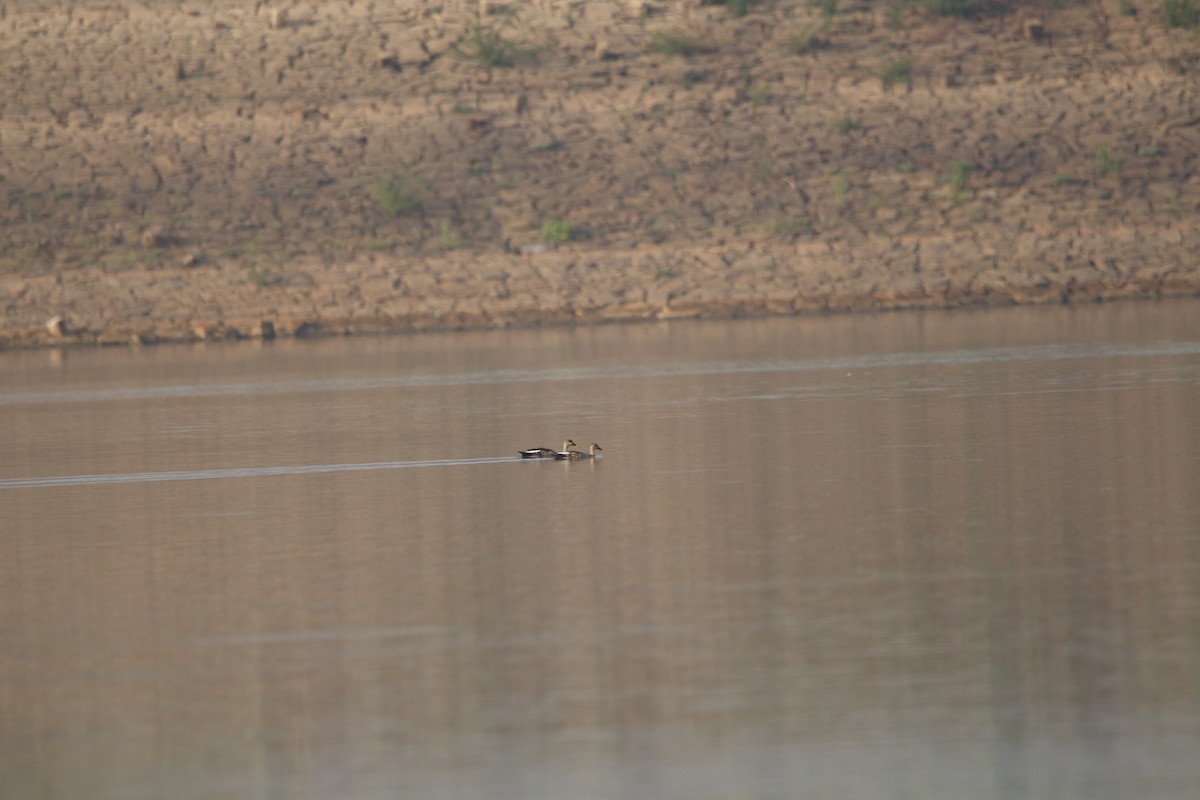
{"points": [[910, 556]]}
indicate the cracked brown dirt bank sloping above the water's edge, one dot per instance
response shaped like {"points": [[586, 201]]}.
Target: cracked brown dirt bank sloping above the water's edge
{"points": [[187, 170]]}
